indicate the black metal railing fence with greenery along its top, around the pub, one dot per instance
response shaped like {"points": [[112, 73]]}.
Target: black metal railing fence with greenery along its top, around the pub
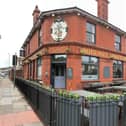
{"points": [[61, 109]]}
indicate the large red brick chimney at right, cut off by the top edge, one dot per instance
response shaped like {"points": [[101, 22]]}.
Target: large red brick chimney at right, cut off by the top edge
{"points": [[102, 9]]}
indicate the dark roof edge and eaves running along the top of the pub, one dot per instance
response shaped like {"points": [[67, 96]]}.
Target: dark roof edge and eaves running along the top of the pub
{"points": [[68, 11]]}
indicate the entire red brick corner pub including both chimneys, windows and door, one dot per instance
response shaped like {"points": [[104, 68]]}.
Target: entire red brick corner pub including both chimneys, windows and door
{"points": [[70, 48]]}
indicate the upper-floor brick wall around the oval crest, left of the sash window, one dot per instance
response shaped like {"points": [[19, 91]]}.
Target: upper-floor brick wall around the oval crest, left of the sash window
{"points": [[75, 29]]}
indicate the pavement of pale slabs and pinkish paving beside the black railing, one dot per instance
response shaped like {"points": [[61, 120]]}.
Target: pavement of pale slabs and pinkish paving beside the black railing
{"points": [[14, 109]]}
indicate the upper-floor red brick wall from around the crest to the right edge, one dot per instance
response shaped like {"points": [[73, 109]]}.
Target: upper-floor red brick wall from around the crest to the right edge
{"points": [[77, 32]]}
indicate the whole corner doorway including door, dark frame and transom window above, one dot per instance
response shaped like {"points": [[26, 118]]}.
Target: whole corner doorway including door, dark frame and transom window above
{"points": [[58, 71]]}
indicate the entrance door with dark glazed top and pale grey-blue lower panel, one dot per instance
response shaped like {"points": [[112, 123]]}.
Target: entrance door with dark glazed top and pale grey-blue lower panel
{"points": [[59, 78]]}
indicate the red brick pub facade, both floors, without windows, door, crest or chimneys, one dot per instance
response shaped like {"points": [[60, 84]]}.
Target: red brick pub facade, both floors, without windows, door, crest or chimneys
{"points": [[74, 46]]}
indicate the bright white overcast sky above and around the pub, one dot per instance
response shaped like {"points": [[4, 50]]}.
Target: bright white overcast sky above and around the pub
{"points": [[16, 20]]}
